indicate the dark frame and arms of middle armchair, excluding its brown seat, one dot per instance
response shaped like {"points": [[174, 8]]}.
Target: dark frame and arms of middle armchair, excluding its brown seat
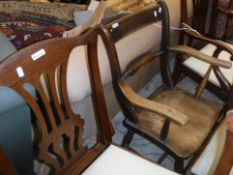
{"points": [[127, 97]]}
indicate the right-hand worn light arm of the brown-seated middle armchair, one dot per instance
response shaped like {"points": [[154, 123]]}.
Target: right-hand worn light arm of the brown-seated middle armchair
{"points": [[201, 56]]}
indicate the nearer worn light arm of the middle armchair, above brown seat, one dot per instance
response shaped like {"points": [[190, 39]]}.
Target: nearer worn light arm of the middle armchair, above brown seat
{"points": [[152, 106]]}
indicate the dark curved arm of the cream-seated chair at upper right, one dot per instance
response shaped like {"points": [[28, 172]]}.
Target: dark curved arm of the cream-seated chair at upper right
{"points": [[220, 44]]}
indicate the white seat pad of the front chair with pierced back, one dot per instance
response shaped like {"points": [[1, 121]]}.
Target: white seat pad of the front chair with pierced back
{"points": [[116, 161]]}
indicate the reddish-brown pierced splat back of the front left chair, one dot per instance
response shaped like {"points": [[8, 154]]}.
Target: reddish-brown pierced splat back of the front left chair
{"points": [[57, 129]]}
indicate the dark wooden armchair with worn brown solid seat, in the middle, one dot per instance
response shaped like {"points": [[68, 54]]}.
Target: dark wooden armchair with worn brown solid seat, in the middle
{"points": [[178, 122]]}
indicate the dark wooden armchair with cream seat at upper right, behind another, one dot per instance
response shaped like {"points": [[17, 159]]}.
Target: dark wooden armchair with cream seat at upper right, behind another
{"points": [[220, 79]]}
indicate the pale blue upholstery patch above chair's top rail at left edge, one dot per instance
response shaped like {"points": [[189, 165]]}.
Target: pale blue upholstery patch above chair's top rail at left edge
{"points": [[7, 48]]}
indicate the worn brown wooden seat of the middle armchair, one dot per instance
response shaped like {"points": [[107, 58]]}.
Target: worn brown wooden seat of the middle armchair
{"points": [[183, 140]]}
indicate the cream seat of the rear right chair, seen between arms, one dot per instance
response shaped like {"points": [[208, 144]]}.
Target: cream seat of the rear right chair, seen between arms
{"points": [[201, 67]]}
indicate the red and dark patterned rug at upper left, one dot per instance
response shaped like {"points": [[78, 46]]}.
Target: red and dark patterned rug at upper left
{"points": [[24, 29]]}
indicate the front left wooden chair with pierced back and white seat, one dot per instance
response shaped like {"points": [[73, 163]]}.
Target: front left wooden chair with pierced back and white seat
{"points": [[58, 131]]}
